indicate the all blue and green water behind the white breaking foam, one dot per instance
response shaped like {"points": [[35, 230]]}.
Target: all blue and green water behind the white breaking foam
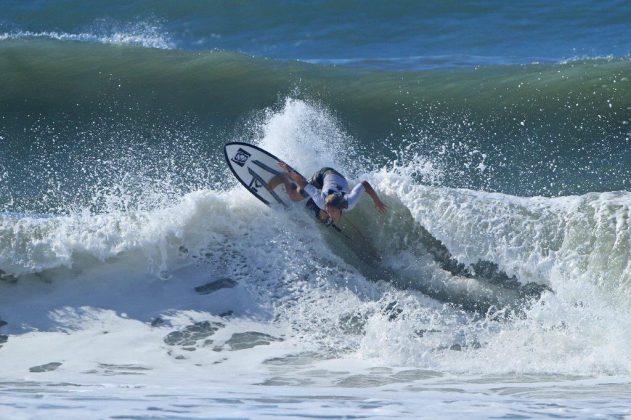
{"points": [[539, 93]]}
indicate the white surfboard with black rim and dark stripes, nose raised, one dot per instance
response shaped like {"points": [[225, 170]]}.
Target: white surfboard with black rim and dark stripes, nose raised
{"points": [[254, 168]]}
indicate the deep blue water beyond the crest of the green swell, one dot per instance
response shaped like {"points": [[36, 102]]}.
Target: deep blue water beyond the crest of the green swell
{"points": [[401, 35]]}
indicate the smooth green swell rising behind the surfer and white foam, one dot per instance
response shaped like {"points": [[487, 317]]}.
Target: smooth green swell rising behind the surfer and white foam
{"points": [[550, 129]]}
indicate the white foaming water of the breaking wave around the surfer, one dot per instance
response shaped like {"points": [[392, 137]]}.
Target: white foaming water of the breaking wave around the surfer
{"points": [[216, 302]]}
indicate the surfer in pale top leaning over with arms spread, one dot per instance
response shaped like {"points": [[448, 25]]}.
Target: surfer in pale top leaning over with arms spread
{"points": [[327, 190]]}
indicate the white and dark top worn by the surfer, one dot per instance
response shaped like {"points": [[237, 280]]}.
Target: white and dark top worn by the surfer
{"points": [[328, 181]]}
